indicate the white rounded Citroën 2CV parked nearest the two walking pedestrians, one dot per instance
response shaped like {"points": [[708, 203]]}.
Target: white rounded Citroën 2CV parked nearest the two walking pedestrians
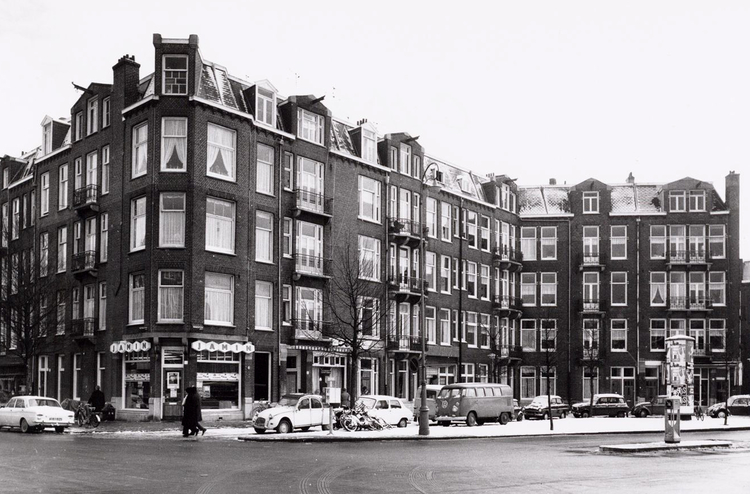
{"points": [[294, 411]]}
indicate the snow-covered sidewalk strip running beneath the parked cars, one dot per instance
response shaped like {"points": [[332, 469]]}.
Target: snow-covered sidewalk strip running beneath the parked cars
{"points": [[570, 426]]}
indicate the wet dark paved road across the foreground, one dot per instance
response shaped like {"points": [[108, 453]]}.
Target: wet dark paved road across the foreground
{"points": [[109, 463]]}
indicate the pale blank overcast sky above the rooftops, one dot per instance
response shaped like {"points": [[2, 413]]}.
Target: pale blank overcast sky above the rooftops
{"points": [[533, 89]]}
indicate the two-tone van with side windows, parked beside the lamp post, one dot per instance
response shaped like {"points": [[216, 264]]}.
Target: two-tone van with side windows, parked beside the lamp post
{"points": [[474, 404]]}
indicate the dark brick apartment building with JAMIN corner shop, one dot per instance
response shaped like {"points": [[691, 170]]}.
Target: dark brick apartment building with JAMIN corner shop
{"points": [[186, 227]]}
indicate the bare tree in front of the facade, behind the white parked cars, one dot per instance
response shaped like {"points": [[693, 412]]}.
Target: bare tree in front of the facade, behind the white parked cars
{"points": [[353, 303]]}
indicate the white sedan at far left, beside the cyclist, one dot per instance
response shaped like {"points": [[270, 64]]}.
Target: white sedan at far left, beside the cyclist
{"points": [[35, 413]]}
